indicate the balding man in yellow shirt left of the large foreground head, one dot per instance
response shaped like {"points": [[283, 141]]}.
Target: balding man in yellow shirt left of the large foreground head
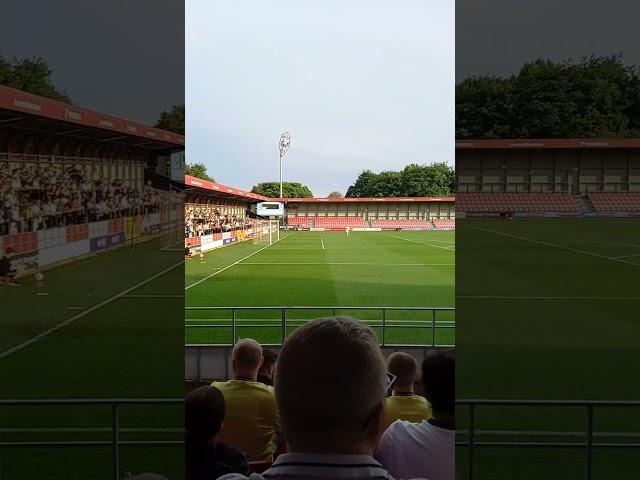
{"points": [[252, 421]]}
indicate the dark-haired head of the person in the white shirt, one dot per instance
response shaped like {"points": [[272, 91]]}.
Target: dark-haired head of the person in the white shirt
{"points": [[439, 379]]}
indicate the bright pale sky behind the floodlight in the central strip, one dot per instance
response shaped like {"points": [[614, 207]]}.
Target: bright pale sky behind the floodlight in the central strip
{"points": [[358, 84]]}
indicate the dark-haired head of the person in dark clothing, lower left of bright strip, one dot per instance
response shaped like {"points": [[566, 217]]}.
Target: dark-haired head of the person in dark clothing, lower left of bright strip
{"points": [[204, 412]]}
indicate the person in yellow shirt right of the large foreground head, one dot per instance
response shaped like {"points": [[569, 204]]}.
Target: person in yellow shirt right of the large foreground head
{"points": [[404, 404]]}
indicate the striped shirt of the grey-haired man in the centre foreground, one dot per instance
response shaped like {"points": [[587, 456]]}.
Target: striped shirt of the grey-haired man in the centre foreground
{"points": [[291, 466]]}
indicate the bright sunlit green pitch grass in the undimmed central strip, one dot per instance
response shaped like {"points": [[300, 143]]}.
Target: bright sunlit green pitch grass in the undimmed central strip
{"points": [[325, 269]]}
